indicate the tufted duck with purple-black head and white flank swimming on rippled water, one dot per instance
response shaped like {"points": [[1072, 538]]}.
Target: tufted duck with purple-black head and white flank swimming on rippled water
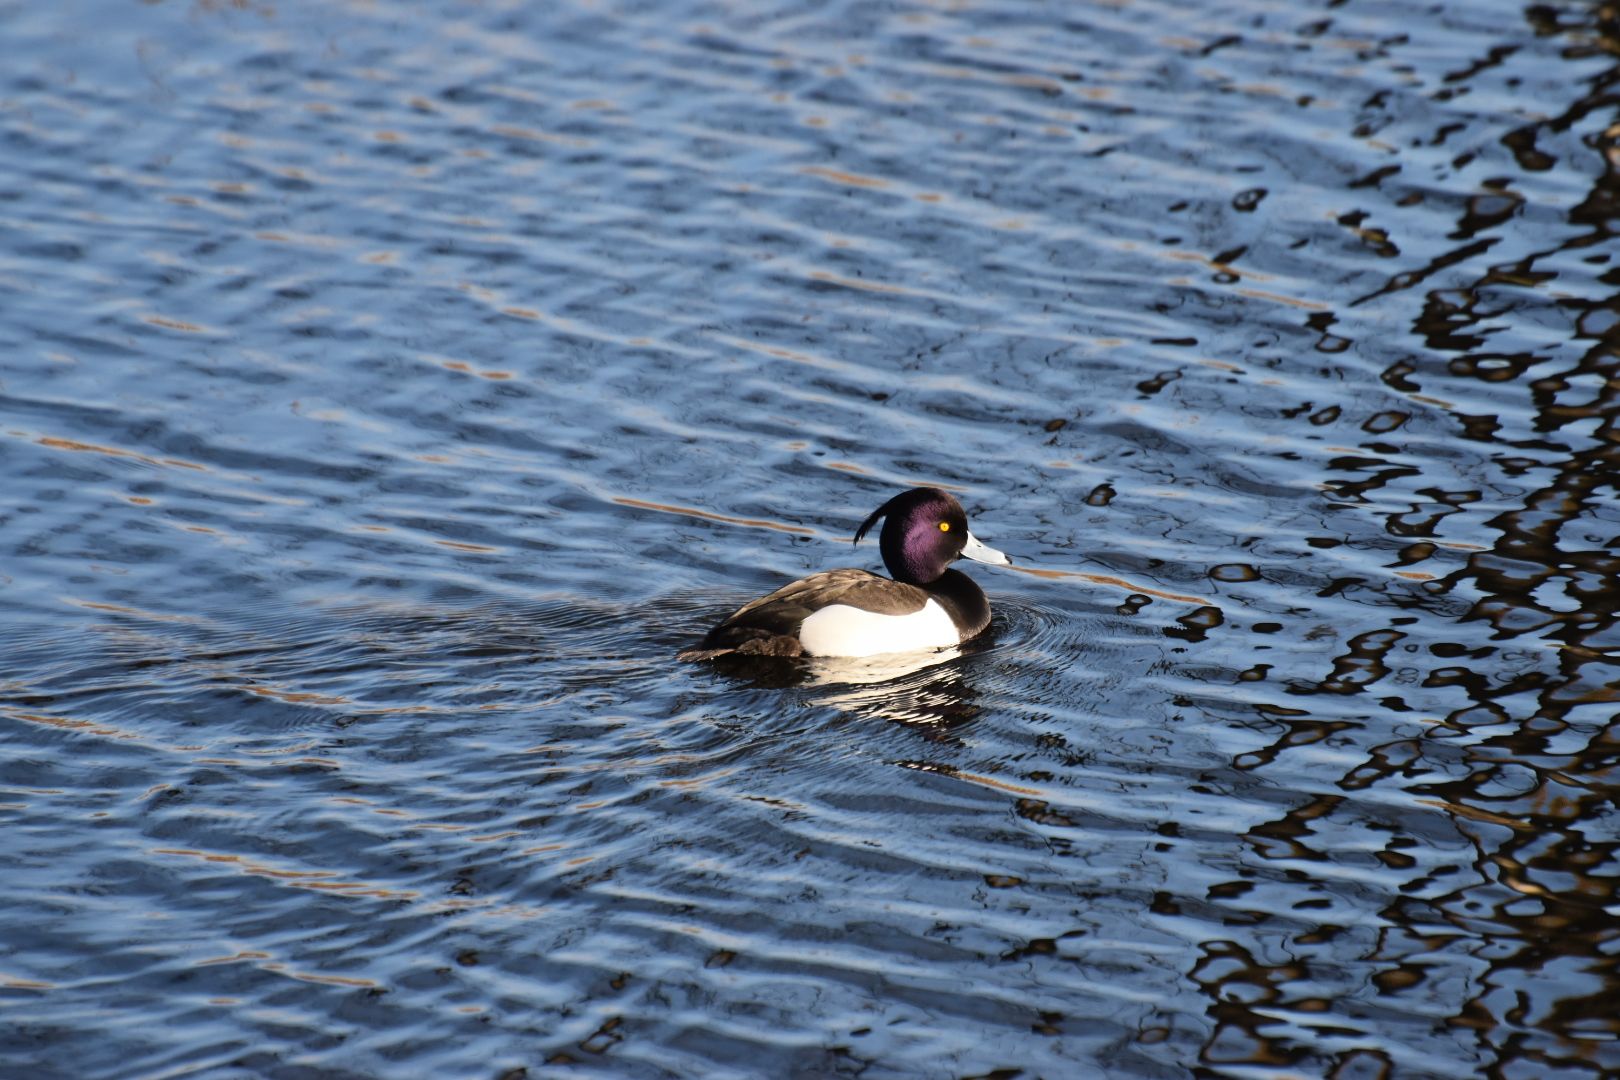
{"points": [[923, 605]]}
